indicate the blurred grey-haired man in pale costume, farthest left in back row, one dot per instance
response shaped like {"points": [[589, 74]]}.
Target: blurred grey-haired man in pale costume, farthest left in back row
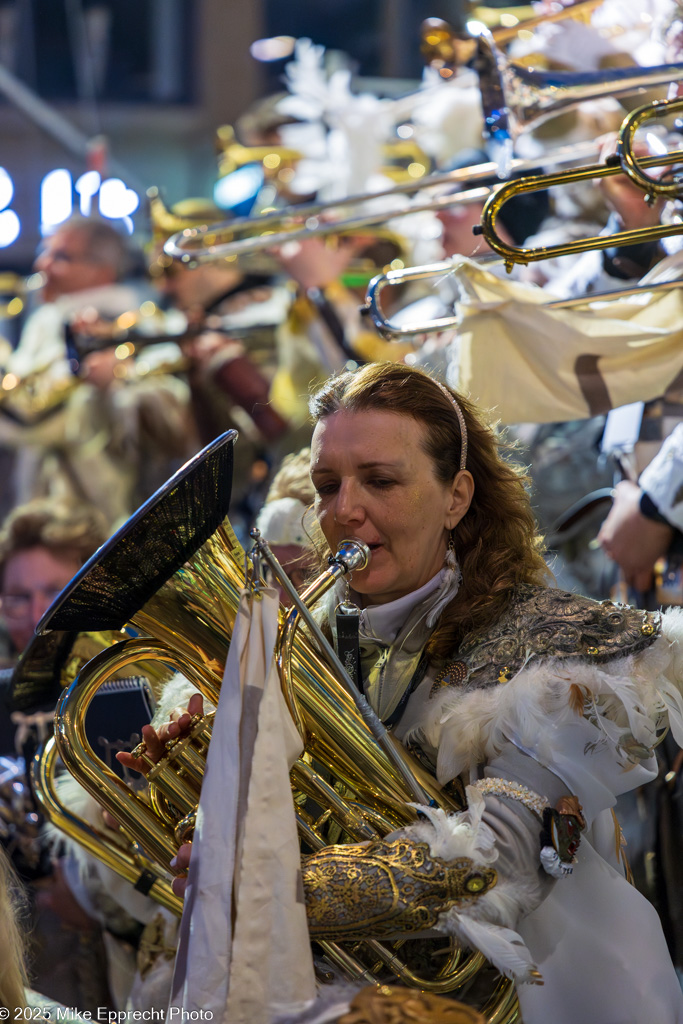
{"points": [[111, 421]]}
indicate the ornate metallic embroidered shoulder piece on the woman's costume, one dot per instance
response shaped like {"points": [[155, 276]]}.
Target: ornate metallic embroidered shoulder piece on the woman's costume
{"points": [[544, 623]]}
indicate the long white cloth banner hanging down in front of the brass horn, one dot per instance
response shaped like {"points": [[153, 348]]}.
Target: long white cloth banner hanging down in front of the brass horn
{"points": [[244, 952]]}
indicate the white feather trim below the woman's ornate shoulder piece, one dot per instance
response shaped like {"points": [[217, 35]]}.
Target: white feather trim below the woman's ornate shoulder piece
{"points": [[628, 701]]}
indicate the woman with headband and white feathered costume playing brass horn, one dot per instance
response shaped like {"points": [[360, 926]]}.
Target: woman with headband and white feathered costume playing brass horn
{"points": [[542, 706]]}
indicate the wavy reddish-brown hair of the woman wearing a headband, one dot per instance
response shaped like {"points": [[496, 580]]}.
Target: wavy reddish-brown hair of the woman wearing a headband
{"points": [[497, 541]]}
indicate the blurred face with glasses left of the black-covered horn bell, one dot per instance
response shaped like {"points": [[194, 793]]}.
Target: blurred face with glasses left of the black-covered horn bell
{"points": [[31, 581]]}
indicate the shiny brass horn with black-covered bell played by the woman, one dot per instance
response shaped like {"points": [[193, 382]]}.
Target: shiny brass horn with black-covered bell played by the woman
{"points": [[175, 574]]}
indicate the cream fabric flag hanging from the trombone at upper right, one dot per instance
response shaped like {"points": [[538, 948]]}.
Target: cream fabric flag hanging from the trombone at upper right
{"points": [[539, 365]]}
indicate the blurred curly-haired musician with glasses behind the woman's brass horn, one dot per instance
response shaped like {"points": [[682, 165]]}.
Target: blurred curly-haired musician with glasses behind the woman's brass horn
{"points": [[42, 545]]}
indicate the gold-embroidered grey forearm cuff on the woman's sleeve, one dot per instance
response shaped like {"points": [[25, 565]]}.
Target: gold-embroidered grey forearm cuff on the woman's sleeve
{"points": [[382, 889]]}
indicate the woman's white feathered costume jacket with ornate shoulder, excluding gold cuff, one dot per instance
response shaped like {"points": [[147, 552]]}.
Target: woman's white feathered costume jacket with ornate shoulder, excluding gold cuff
{"points": [[563, 696]]}
